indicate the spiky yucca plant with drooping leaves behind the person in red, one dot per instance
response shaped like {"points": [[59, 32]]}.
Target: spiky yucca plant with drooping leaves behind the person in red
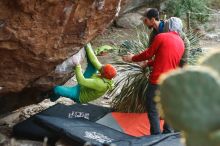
{"points": [[132, 80]]}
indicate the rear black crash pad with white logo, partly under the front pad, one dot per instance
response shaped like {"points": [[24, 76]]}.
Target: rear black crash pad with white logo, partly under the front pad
{"points": [[30, 129]]}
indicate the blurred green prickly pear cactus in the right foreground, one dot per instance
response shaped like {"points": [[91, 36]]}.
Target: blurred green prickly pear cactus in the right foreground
{"points": [[190, 101]]}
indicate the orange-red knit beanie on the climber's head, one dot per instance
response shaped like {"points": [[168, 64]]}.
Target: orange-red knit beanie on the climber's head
{"points": [[109, 71]]}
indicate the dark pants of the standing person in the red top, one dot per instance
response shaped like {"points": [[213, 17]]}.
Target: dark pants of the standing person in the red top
{"points": [[152, 112]]}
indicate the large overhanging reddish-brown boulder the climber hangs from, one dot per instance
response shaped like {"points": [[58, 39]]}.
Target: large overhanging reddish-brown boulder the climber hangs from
{"points": [[36, 35]]}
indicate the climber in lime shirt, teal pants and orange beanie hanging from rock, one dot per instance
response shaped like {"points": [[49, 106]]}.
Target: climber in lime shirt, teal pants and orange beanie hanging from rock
{"points": [[96, 80]]}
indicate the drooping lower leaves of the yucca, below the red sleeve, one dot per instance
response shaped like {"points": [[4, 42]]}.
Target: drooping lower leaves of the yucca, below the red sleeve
{"points": [[132, 85]]}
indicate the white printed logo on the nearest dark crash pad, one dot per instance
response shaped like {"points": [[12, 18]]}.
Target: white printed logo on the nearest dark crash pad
{"points": [[98, 137]]}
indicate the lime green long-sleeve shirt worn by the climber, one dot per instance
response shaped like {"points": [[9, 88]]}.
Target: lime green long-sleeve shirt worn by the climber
{"points": [[94, 87]]}
